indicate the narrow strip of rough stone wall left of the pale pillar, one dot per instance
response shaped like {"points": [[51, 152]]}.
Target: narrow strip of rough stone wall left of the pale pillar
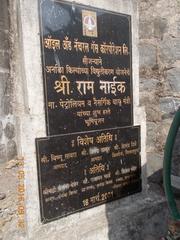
{"points": [[8, 148]]}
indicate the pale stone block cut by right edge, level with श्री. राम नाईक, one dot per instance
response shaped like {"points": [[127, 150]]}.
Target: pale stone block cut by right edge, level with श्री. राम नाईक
{"points": [[173, 77]]}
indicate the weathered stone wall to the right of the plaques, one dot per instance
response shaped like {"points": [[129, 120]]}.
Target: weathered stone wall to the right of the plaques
{"points": [[159, 32]]}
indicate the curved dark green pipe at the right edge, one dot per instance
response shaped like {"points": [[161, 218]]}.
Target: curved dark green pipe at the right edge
{"points": [[167, 166]]}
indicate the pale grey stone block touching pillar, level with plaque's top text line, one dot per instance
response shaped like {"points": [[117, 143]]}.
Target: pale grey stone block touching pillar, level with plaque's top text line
{"points": [[147, 55]]}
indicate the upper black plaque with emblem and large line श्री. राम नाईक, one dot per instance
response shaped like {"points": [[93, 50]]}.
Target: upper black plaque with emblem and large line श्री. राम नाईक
{"points": [[86, 60]]}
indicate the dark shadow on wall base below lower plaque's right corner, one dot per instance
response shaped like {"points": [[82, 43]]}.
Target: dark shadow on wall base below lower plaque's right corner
{"points": [[142, 216]]}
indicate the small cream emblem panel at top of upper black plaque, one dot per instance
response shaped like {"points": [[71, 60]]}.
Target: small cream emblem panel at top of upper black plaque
{"points": [[89, 21]]}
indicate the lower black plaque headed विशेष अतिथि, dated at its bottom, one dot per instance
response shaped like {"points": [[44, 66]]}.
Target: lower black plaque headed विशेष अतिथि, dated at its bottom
{"points": [[82, 170]]}
